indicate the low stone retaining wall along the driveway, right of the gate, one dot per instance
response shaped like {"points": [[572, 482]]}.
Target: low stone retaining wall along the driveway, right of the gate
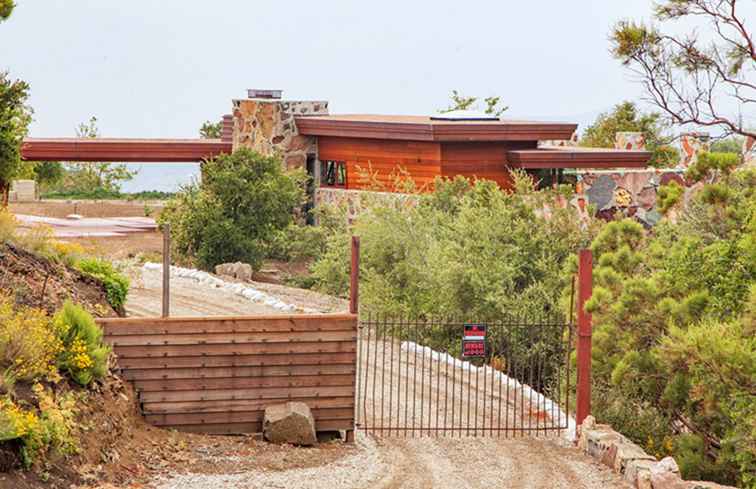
{"points": [[626, 458]]}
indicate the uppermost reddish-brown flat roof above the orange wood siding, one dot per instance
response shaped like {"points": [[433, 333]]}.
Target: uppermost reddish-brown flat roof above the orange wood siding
{"points": [[422, 128]]}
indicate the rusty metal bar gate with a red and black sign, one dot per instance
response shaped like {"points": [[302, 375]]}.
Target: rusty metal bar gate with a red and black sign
{"points": [[414, 378]]}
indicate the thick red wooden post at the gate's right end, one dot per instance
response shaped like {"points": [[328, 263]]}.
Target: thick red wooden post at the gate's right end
{"points": [[585, 289]]}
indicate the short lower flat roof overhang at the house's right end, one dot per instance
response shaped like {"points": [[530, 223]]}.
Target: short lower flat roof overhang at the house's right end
{"points": [[577, 158]]}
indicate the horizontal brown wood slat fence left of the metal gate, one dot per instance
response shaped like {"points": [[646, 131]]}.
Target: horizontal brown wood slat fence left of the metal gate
{"points": [[217, 374]]}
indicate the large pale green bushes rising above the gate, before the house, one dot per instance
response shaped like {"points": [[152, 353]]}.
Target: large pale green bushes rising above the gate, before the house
{"points": [[467, 248]]}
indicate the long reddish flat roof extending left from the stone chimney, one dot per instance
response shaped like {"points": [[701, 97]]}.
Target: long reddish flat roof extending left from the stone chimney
{"points": [[123, 150]]}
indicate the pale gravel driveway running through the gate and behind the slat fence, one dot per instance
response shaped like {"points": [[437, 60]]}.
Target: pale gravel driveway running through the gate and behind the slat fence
{"points": [[546, 461]]}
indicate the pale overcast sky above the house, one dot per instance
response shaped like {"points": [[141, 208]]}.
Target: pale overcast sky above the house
{"points": [[159, 68]]}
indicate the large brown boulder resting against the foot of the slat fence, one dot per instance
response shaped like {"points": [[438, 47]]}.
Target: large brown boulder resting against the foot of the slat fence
{"points": [[291, 422]]}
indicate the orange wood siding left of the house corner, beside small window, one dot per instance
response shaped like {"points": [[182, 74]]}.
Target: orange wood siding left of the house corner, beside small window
{"points": [[383, 158]]}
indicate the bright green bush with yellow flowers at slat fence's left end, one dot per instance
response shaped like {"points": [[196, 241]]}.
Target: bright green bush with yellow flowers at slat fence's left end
{"points": [[84, 356]]}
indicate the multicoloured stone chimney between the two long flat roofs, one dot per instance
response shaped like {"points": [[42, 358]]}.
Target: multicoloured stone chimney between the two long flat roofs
{"points": [[267, 126]]}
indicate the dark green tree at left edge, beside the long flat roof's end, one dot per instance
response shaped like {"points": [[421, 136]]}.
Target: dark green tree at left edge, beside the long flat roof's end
{"points": [[15, 117]]}
